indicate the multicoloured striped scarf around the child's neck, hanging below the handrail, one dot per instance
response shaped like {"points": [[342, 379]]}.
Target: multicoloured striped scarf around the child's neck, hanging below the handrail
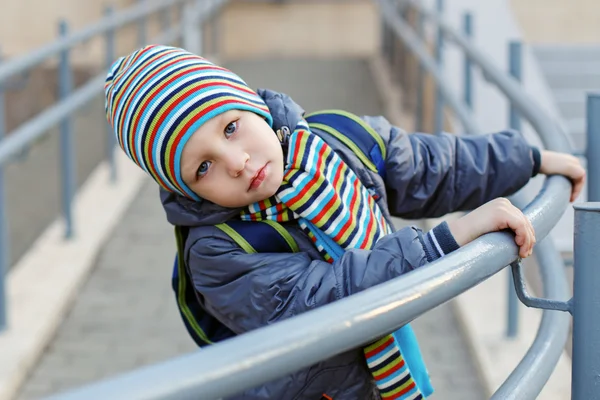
{"points": [[337, 212]]}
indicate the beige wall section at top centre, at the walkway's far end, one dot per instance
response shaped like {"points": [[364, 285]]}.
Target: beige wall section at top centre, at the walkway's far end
{"points": [[326, 28]]}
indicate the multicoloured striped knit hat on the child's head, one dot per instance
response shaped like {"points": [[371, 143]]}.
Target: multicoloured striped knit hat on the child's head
{"points": [[158, 96]]}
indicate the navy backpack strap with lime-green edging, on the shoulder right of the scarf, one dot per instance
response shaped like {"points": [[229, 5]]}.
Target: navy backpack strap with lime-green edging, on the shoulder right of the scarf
{"points": [[354, 133]]}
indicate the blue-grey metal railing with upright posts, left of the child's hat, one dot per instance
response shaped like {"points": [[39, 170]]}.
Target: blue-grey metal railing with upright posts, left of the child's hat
{"points": [[187, 31]]}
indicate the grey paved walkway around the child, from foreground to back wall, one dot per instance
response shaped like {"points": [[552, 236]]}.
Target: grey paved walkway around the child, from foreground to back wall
{"points": [[126, 316]]}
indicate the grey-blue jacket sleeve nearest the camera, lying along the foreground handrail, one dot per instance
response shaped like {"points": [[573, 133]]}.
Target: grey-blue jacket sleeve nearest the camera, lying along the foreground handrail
{"points": [[245, 291]]}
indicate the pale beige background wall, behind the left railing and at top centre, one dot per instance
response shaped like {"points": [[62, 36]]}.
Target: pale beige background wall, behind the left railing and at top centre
{"points": [[247, 29]]}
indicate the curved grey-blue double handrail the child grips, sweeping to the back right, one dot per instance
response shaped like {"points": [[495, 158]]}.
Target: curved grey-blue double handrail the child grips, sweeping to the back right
{"points": [[259, 356]]}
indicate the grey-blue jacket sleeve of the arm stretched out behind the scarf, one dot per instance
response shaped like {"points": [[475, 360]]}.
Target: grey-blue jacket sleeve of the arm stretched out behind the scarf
{"points": [[432, 175]]}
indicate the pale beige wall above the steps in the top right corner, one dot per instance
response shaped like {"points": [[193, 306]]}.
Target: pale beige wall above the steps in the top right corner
{"points": [[558, 21]]}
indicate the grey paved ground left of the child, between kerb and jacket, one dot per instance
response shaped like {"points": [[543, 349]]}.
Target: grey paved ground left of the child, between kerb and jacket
{"points": [[125, 315]]}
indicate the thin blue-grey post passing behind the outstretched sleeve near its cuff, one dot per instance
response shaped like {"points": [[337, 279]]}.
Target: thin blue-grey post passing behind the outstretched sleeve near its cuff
{"points": [[512, 323]]}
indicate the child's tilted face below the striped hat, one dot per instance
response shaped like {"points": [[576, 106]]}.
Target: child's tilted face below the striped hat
{"points": [[233, 160]]}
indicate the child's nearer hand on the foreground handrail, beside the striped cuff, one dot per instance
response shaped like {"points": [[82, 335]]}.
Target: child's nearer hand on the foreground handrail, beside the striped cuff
{"points": [[493, 216]]}
